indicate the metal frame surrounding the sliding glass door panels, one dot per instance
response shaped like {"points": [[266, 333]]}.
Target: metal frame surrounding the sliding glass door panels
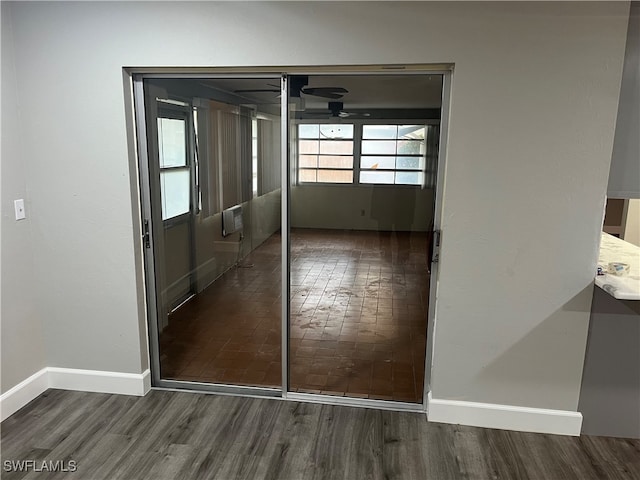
{"points": [[137, 75]]}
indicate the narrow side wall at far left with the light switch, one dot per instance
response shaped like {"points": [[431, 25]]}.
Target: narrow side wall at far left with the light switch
{"points": [[22, 345]]}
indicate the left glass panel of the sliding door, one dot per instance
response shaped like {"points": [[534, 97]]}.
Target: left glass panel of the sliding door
{"points": [[214, 149]]}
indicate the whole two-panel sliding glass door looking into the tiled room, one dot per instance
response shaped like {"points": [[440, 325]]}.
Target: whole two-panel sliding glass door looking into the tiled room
{"points": [[288, 224]]}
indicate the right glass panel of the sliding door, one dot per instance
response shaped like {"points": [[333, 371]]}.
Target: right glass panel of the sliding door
{"points": [[362, 188]]}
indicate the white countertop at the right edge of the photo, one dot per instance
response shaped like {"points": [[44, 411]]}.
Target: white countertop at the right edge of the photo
{"points": [[612, 249]]}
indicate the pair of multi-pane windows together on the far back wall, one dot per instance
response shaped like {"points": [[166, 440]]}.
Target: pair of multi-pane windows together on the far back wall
{"points": [[384, 154]]}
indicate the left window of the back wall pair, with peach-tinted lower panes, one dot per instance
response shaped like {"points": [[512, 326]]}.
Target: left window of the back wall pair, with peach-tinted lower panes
{"points": [[325, 153]]}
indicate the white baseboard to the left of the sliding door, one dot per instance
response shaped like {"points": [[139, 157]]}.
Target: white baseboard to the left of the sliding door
{"points": [[73, 379]]}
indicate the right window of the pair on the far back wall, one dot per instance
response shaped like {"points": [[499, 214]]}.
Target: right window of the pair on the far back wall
{"points": [[393, 154]]}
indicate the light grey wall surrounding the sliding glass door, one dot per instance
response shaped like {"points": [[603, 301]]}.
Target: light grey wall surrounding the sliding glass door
{"points": [[532, 115]]}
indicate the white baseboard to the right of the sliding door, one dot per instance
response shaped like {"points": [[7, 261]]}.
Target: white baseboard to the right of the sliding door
{"points": [[504, 417]]}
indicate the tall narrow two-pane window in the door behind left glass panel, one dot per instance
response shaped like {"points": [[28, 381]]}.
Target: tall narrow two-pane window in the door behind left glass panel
{"points": [[175, 169]]}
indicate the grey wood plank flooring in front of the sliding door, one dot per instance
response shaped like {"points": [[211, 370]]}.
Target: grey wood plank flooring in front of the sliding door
{"points": [[180, 435]]}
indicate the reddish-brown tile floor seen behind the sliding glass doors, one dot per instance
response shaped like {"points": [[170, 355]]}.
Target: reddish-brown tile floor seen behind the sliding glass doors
{"points": [[358, 318]]}
